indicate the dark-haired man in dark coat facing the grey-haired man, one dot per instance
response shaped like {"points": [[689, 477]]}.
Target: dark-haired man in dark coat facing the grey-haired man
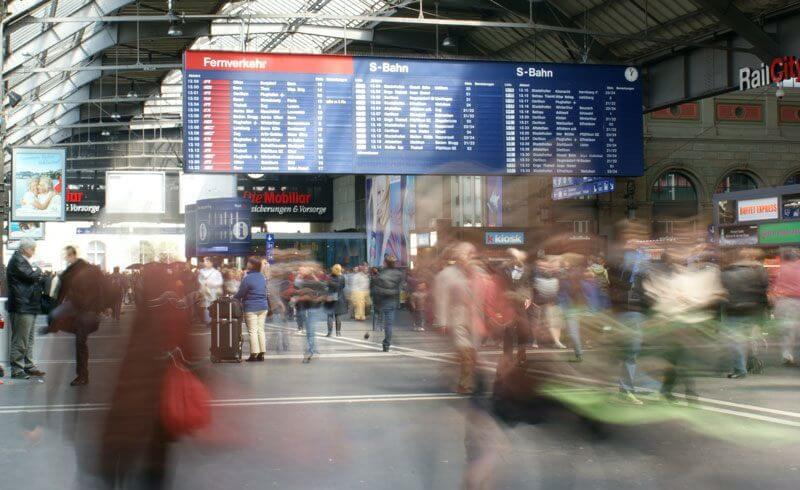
{"points": [[80, 298]]}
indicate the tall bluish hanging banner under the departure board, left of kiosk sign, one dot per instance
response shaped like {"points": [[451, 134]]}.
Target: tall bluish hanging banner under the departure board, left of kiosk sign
{"points": [[387, 234]]}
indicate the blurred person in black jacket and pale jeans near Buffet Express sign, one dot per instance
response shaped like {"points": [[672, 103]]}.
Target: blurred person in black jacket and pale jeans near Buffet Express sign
{"points": [[746, 282]]}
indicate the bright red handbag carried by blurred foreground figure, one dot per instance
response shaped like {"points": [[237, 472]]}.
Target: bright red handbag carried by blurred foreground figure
{"points": [[185, 400]]}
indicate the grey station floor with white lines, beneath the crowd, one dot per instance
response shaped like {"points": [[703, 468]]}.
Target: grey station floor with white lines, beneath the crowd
{"points": [[357, 417]]}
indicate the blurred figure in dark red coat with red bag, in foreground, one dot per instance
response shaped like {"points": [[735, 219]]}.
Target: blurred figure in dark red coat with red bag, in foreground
{"points": [[156, 399]]}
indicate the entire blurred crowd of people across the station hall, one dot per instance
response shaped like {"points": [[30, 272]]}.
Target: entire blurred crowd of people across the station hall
{"points": [[647, 318]]}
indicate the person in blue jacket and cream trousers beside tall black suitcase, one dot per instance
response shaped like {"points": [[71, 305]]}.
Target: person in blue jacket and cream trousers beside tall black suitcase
{"points": [[253, 295]]}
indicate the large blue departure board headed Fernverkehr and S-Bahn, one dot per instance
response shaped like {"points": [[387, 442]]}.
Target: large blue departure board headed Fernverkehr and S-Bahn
{"points": [[281, 113]]}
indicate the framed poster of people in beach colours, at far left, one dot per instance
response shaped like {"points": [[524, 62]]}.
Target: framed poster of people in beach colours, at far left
{"points": [[37, 189]]}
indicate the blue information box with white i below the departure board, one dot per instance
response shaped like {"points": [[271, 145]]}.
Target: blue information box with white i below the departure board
{"points": [[223, 227]]}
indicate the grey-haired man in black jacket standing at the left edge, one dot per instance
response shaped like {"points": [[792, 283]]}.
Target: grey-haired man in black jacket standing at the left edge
{"points": [[25, 283]]}
